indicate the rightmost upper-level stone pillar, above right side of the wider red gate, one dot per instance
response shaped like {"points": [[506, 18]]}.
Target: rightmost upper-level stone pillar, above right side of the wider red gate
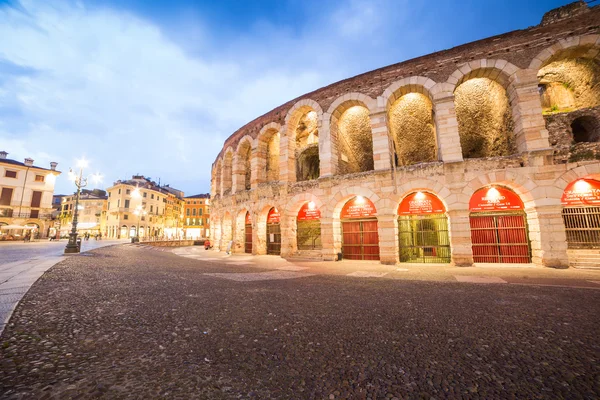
{"points": [[529, 126]]}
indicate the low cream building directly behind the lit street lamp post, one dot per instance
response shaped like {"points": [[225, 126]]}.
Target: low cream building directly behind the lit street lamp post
{"points": [[91, 218]]}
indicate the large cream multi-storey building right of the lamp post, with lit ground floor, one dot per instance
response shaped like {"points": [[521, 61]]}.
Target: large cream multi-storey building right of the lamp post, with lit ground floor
{"points": [[140, 205]]}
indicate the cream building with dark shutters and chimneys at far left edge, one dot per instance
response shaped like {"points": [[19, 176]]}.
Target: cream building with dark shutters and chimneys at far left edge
{"points": [[26, 196]]}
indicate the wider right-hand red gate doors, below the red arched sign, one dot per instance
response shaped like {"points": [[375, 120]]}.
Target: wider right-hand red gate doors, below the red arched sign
{"points": [[500, 238]]}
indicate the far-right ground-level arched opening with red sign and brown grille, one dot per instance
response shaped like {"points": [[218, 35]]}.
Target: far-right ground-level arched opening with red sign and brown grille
{"points": [[581, 214]]}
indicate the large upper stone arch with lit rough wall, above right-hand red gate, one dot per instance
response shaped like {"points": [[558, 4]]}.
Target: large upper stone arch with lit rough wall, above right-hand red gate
{"points": [[484, 108]]}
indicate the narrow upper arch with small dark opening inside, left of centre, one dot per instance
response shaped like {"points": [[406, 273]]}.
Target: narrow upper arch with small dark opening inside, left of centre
{"points": [[302, 132]]}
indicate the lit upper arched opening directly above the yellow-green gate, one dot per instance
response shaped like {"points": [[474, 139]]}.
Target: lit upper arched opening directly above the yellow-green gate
{"points": [[412, 128]]}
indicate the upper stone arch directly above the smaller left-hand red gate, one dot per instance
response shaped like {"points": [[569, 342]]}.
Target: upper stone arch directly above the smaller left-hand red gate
{"points": [[351, 134]]}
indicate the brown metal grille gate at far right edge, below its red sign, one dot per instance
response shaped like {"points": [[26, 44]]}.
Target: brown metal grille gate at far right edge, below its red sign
{"points": [[582, 225]]}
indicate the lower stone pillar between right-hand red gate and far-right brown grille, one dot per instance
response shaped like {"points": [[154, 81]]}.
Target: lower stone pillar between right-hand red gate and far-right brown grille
{"points": [[547, 236]]}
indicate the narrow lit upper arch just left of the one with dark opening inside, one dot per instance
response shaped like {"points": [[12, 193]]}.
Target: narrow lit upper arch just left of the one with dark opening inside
{"points": [[267, 153]]}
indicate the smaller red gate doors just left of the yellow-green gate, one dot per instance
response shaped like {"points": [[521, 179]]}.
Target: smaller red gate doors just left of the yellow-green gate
{"points": [[360, 240]]}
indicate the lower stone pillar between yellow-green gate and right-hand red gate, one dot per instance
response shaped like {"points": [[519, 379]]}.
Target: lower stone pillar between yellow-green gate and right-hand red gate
{"points": [[461, 247]]}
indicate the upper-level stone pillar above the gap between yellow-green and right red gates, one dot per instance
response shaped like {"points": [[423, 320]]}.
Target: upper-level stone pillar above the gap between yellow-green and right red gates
{"points": [[446, 128]]}
